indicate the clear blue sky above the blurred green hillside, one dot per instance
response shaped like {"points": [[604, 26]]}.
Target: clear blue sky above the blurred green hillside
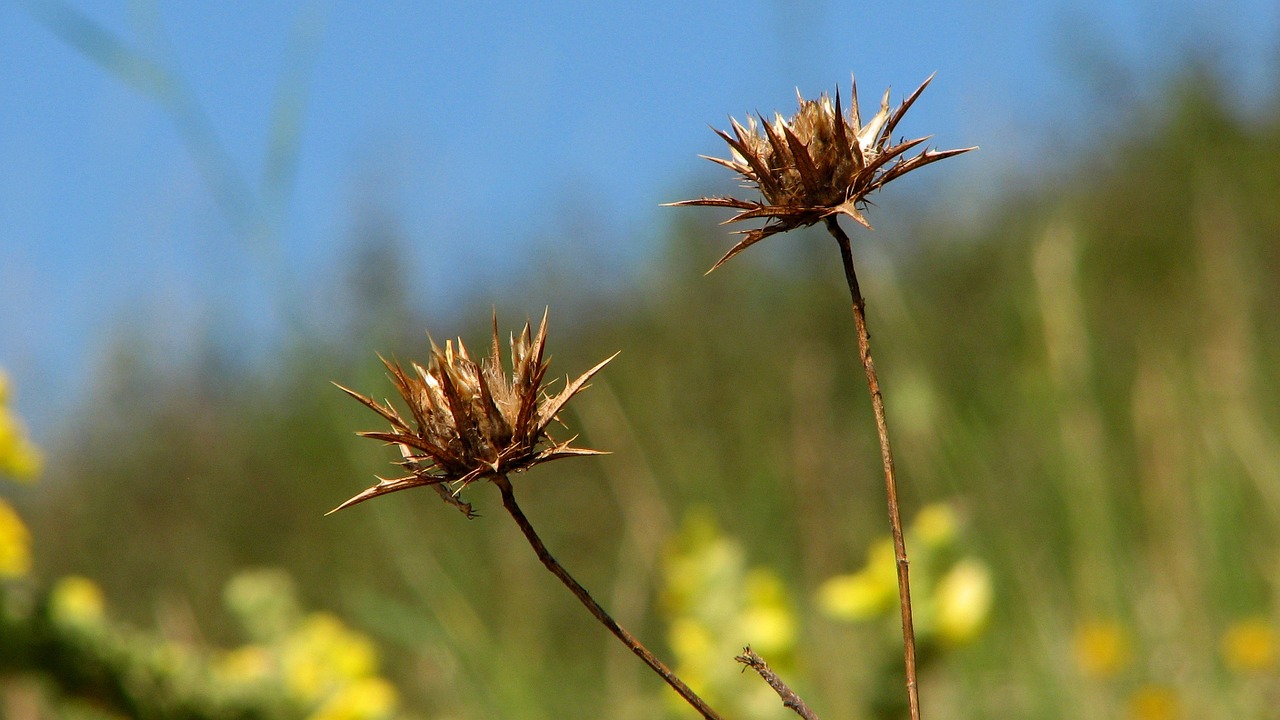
{"points": [[175, 162]]}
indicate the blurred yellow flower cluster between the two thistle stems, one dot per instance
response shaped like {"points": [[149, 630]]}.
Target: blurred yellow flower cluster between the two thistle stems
{"points": [[715, 604]]}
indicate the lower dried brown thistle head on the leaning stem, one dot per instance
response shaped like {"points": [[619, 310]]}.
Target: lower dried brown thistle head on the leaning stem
{"points": [[470, 421]]}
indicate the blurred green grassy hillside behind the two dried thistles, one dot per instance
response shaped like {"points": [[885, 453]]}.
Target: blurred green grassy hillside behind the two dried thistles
{"points": [[1087, 375]]}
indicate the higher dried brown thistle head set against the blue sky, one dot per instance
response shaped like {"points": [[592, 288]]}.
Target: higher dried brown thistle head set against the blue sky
{"points": [[817, 165]]}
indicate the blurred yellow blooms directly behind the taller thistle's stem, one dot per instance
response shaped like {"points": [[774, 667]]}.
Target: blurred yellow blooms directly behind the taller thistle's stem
{"points": [[952, 594]]}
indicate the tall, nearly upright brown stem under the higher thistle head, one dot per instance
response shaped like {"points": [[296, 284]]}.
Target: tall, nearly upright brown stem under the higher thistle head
{"points": [[865, 352]]}
